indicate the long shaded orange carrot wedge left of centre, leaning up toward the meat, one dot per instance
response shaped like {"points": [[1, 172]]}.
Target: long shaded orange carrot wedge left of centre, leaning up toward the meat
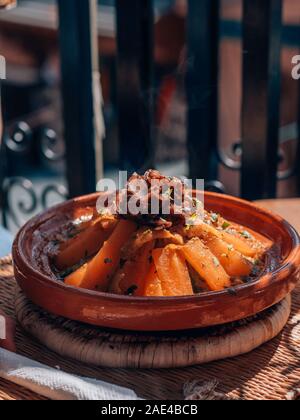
{"points": [[102, 267]]}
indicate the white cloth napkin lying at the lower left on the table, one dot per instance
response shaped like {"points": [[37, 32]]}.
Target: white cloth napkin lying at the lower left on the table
{"points": [[55, 384]]}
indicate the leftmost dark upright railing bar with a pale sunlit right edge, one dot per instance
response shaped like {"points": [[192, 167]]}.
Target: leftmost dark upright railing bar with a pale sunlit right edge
{"points": [[79, 67]]}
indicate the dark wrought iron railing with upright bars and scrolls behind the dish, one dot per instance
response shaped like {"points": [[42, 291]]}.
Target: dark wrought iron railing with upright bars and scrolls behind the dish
{"points": [[256, 156]]}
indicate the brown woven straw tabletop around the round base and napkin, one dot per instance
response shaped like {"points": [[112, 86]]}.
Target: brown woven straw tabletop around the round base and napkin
{"points": [[269, 372]]}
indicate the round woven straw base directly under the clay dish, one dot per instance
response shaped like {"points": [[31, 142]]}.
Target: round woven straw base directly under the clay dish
{"points": [[117, 349]]}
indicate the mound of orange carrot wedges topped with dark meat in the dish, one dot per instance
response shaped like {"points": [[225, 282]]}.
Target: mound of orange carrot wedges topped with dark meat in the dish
{"points": [[159, 255]]}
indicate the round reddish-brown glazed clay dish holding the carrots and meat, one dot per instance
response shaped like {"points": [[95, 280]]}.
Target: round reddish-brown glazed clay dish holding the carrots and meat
{"points": [[34, 275]]}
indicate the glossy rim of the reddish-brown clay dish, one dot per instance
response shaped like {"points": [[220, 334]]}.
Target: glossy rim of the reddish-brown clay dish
{"points": [[282, 271]]}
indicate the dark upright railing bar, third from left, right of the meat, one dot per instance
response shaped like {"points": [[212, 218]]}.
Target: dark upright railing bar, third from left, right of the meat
{"points": [[202, 87]]}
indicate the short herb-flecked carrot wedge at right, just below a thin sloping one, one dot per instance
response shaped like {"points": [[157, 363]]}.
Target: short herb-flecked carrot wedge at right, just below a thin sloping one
{"points": [[231, 260]]}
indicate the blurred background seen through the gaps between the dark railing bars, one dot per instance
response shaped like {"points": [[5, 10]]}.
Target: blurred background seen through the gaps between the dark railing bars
{"points": [[32, 94]]}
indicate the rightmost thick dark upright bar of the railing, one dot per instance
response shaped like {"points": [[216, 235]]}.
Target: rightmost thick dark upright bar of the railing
{"points": [[261, 97]]}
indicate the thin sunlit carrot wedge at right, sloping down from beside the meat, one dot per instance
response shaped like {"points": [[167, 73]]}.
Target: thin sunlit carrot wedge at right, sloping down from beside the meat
{"points": [[203, 230]]}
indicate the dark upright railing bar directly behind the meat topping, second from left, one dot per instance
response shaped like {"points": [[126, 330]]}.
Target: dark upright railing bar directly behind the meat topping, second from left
{"points": [[135, 63]]}
